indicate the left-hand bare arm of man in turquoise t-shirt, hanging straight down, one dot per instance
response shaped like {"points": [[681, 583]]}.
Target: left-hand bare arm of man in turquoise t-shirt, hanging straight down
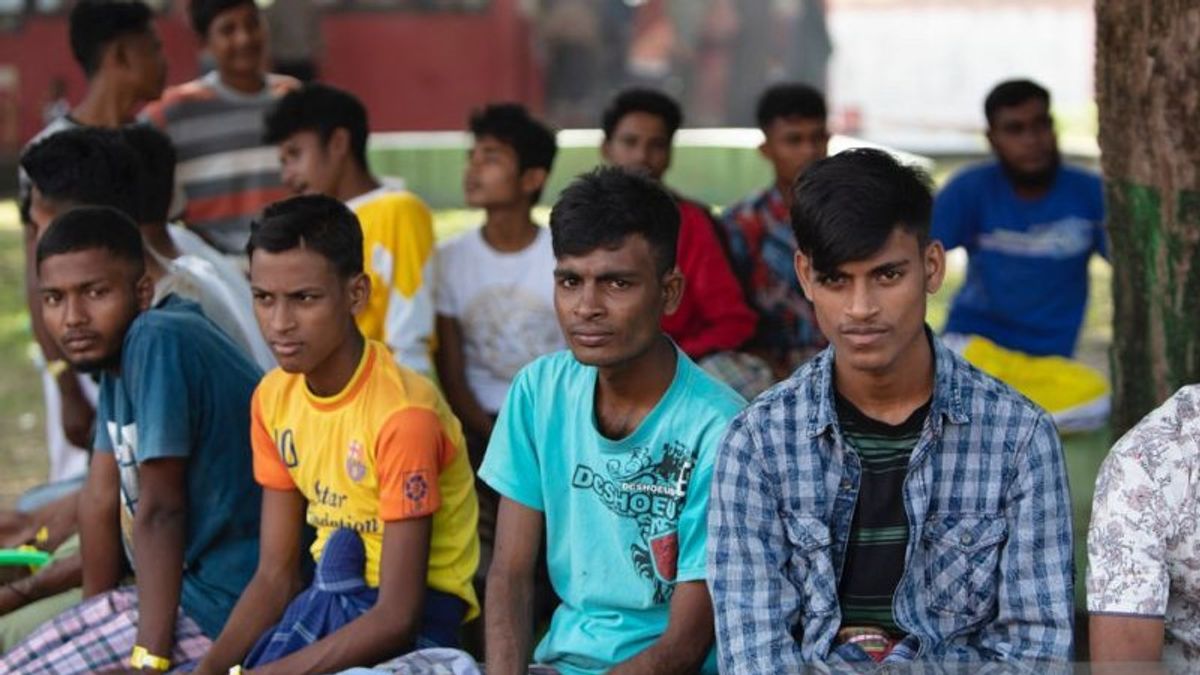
{"points": [[509, 606]]}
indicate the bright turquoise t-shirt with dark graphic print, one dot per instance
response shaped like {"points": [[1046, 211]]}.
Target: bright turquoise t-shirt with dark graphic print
{"points": [[626, 521]]}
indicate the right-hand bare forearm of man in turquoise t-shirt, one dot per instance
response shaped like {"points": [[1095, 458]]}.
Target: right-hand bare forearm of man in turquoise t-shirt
{"points": [[687, 642]]}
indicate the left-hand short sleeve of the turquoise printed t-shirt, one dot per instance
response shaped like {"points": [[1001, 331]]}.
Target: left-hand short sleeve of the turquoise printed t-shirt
{"points": [[512, 464]]}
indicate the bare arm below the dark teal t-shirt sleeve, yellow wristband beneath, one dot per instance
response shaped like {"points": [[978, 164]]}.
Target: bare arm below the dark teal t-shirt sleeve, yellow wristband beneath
{"points": [[159, 536]]}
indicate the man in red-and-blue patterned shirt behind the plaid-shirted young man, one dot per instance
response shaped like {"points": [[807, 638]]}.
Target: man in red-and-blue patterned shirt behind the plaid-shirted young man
{"points": [[759, 230]]}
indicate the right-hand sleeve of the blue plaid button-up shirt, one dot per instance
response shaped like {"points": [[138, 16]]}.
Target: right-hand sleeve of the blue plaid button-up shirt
{"points": [[1037, 561]]}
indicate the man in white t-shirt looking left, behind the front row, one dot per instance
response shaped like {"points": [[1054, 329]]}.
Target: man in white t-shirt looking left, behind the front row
{"points": [[496, 285]]}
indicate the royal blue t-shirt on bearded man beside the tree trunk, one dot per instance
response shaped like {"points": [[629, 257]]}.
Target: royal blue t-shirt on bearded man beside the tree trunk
{"points": [[1027, 285]]}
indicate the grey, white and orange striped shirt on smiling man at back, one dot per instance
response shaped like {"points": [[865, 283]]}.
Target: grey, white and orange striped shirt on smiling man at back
{"points": [[226, 172]]}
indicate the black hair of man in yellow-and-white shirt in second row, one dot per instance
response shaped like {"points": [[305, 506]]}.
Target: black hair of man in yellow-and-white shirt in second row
{"points": [[323, 110]]}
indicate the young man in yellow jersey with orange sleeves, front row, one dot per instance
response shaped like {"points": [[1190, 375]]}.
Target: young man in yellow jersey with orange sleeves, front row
{"points": [[352, 443]]}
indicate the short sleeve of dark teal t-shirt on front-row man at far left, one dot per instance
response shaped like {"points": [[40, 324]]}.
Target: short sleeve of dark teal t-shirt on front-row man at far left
{"points": [[161, 380]]}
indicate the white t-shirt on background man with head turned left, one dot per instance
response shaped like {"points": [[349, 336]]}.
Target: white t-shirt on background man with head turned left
{"points": [[505, 304]]}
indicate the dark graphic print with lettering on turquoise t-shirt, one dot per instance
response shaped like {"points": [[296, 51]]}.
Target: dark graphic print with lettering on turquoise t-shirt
{"points": [[651, 493]]}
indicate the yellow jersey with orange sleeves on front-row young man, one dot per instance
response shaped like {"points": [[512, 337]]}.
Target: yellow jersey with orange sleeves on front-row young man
{"points": [[386, 449]]}
